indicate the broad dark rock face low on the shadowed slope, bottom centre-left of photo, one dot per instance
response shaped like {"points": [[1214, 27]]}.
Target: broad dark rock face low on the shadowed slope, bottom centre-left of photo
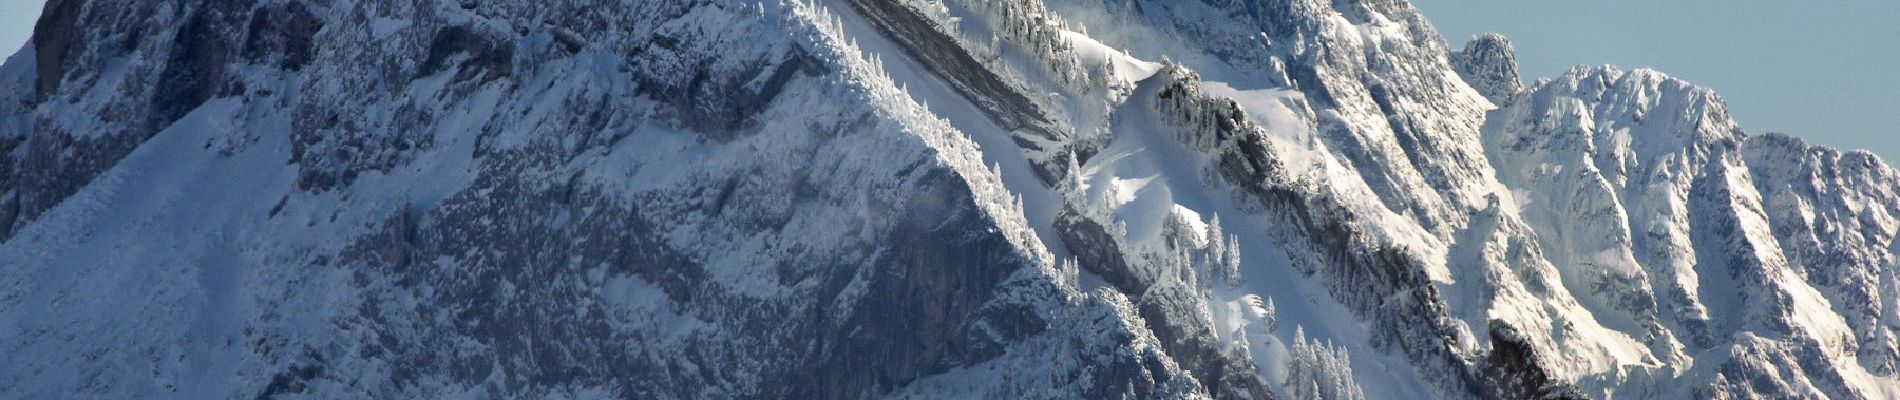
{"points": [[514, 255]]}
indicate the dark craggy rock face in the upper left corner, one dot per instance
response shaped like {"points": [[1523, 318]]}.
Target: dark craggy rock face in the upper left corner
{"points": [[183, 65]]}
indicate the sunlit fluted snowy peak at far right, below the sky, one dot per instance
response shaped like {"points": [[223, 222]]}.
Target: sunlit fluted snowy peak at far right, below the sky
{"points": [[1705, 238]]}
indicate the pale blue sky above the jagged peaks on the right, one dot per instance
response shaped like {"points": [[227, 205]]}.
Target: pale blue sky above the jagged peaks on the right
{"points": [[1827, 71]]}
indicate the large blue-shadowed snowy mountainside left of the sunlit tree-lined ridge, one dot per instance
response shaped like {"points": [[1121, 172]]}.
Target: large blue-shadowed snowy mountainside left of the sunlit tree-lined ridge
{"points": [[487, 204]]}
